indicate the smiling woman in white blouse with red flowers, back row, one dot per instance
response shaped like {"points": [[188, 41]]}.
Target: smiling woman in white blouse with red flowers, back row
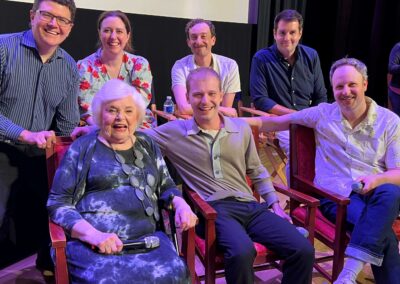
{"points": [[114, 59]]}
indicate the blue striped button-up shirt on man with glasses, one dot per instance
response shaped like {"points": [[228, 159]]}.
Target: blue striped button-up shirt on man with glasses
{"points": [[35, 96]]}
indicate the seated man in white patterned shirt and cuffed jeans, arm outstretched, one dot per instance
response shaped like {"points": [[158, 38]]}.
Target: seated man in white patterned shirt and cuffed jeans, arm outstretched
{"points": [[357, 141]]}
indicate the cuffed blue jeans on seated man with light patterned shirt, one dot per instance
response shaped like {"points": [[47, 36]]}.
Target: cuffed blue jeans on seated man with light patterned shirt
{"points": [[370, 218]]}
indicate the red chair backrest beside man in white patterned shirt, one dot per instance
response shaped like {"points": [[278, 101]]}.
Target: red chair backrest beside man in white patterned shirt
{"points": [[302, 152]]}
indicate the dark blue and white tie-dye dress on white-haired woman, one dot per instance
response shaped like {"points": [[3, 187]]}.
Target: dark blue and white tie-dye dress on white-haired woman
{"points": [[90, 184]]}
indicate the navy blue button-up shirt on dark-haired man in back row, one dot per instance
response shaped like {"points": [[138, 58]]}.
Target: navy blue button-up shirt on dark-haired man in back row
{"points": [[274, 81]]}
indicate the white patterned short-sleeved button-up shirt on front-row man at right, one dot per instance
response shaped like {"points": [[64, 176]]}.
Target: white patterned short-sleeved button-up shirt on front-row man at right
{"points": [[344, 153]]}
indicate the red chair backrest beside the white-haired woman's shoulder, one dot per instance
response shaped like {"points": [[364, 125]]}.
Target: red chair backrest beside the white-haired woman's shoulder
{"points": [[54, 156]]}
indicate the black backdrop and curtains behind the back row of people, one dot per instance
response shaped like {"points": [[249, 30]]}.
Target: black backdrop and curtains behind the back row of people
{"points": [[365, 29]]}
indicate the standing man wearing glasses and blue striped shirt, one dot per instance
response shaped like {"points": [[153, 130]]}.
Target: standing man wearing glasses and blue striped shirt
{"points": [[38, 100]]}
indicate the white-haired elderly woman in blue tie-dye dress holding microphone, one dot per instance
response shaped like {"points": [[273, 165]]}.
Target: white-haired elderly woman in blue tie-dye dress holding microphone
{"points": [[106, 190]]}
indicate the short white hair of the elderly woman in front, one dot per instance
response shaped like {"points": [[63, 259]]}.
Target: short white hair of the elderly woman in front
{"points": [[115, 89]]}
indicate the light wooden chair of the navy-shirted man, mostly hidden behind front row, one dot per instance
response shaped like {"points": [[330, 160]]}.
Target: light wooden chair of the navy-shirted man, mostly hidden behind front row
{"points": [[273, 151]]}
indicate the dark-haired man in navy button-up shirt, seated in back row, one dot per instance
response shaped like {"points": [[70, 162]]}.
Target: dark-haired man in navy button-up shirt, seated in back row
{"points": [[287, 76]]}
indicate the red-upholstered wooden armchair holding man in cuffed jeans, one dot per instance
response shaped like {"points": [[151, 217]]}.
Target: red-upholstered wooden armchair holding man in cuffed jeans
{"points": [[302, 172]]}
